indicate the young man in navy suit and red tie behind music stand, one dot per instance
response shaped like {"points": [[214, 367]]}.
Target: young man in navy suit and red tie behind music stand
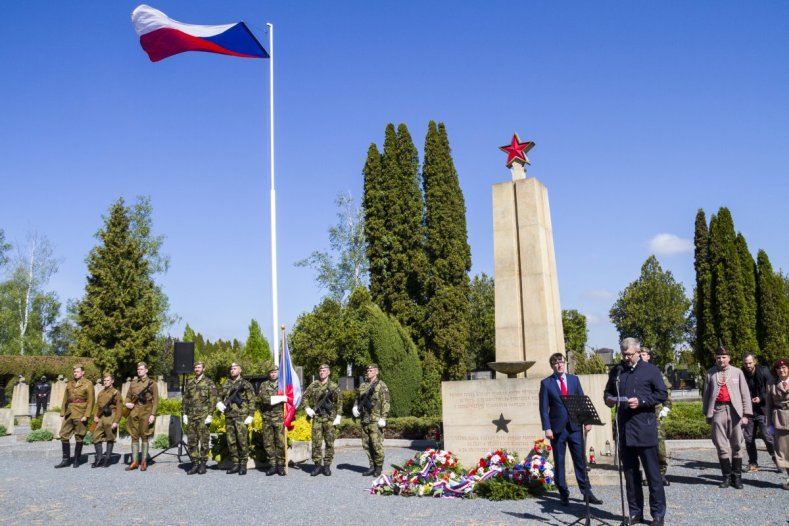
{"points": [[560, 431]]}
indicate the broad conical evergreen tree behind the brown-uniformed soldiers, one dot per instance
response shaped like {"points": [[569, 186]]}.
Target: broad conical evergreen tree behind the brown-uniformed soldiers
{"points": [[121, 313]]}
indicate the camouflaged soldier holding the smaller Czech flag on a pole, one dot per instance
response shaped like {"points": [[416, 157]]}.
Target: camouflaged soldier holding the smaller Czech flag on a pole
{"points": [[270, 401]]}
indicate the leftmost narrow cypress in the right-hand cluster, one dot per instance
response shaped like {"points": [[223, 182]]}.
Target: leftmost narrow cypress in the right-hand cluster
{"points": [[705, 343]]}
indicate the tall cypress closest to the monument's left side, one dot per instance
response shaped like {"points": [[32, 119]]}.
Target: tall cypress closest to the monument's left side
{"points": [[448, 254]]}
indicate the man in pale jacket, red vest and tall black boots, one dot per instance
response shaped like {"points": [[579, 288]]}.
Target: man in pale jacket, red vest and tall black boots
{"points": [[727, 407]]}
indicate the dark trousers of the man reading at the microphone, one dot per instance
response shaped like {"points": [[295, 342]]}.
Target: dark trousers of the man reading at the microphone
{"points": [[635, 493]]}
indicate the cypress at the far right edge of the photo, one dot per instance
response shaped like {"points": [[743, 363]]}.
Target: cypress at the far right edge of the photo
{"points": [[772, 311]]}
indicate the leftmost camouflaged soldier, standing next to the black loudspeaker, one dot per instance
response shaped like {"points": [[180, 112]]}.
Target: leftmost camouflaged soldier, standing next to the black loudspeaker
{"points": [[200, 397]]}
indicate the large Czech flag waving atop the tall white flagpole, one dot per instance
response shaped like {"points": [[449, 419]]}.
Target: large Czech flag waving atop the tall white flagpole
{"points": [[163, 37]]}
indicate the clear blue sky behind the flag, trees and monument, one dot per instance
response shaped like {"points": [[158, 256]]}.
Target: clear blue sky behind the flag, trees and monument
{"points": [[643, 112]]}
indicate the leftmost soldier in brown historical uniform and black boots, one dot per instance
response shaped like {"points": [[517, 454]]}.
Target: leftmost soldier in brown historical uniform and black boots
{"points": [[76, 408]]}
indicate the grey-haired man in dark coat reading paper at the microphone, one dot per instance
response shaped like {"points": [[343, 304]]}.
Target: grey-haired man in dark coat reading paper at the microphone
{"points": [[636, 387]]}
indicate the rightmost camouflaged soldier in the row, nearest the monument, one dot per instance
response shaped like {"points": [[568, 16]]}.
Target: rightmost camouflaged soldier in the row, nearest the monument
{"points": [[372, 405]]}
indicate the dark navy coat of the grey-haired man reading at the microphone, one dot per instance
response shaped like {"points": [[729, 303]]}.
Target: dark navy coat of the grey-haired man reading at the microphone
{"points": [[637, 427]]}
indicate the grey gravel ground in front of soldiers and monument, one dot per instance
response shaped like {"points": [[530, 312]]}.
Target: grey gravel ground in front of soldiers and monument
{"points": [[32, 492]]}
